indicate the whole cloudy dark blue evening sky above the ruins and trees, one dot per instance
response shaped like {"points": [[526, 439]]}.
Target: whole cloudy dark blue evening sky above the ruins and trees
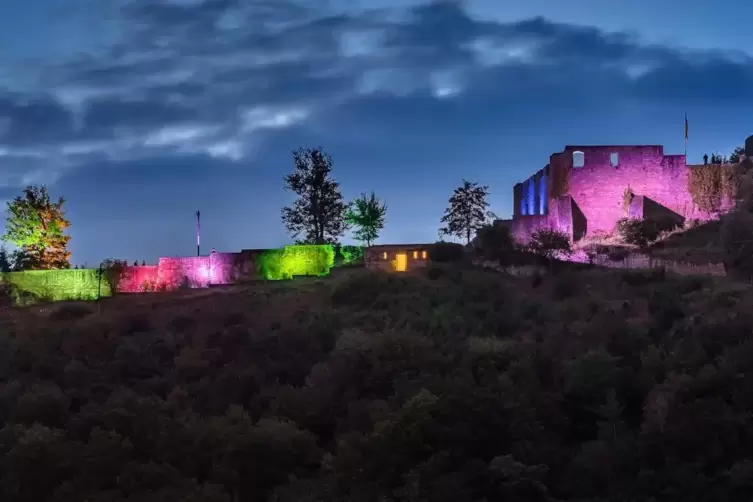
{"points": [[141, 111]]}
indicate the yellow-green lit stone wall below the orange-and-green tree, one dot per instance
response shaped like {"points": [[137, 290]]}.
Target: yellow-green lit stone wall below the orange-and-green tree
{"points": [[57, 285]]}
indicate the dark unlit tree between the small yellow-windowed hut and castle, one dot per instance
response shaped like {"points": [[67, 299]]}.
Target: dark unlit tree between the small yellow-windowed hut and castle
{"points": [[467, 212]]}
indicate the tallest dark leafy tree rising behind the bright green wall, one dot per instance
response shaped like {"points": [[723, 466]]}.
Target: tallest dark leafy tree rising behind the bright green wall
{"points": [[318, 215]]}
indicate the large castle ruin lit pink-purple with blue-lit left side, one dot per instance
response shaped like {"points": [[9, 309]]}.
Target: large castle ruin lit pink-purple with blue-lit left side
{"points": [[597, 177]]}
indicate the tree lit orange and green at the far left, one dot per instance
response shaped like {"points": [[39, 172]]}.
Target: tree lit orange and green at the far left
{"points": [[36, 225]]}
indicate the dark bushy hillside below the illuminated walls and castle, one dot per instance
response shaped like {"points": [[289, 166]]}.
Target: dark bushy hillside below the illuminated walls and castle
{"points": [[588, 385]]}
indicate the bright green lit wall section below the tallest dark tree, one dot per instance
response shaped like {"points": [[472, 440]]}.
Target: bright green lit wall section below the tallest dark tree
{"points": [[291, 261]]}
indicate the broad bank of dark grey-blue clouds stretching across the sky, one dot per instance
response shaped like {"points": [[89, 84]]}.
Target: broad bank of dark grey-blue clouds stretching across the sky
{"points": [[217, 77]]}
